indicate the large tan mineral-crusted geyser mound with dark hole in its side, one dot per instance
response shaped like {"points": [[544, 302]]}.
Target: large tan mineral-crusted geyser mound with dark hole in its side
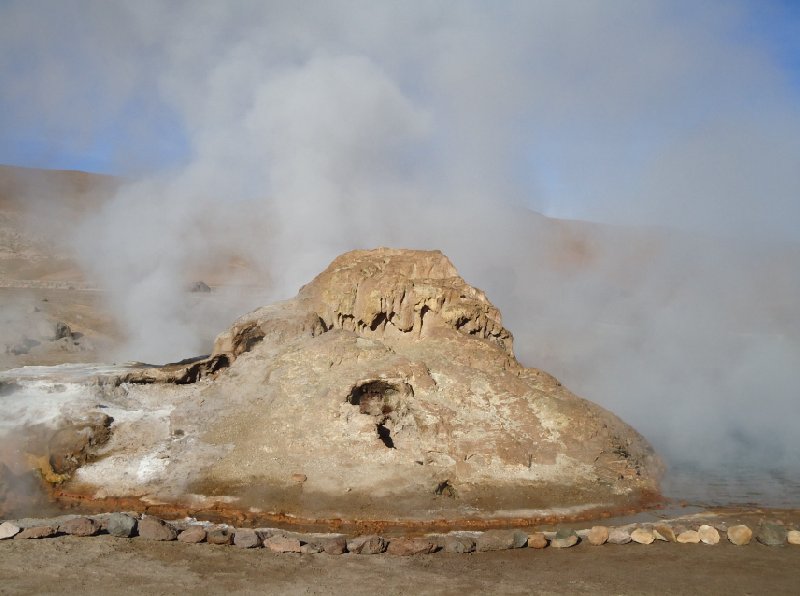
{"points": [[386, 391]]}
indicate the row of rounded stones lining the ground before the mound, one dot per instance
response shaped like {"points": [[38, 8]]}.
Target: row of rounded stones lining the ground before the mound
{"points": [[145, 527]]}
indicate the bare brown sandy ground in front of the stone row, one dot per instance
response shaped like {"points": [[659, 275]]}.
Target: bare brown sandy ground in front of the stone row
{"points": [[106, 565]]}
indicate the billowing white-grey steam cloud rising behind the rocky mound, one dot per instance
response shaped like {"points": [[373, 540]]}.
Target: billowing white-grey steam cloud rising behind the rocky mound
{"points": [[306, 129]]}
